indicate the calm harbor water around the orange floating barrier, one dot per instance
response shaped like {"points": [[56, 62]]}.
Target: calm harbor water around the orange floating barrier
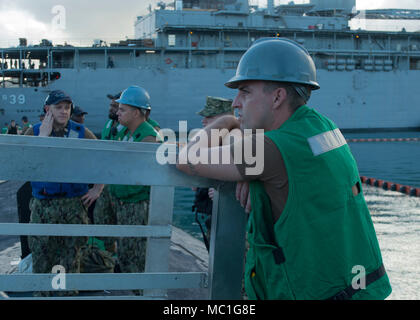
{"points": [[396, 216]]}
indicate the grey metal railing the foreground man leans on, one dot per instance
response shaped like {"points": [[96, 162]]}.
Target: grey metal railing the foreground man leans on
{"points": [[108, 162]]}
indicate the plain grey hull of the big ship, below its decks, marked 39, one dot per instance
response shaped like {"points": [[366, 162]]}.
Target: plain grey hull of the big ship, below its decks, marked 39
{"points": [[356, 100]]}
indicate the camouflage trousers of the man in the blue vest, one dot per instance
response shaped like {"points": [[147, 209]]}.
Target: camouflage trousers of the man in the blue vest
{"points": [[49, 251]]}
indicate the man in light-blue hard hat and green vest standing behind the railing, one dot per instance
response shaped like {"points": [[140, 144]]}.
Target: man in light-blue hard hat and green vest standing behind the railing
{"points": [[130, 204]]}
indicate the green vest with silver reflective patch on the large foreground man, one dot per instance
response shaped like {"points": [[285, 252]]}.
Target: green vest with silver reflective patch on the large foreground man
{"points": [[325, 234]]}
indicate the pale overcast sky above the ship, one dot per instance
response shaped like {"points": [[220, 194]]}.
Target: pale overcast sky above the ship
{"points": [[104, 19]]}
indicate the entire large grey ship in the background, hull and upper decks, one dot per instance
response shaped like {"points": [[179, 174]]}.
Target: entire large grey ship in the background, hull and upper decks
{"points": [[187, 50]]}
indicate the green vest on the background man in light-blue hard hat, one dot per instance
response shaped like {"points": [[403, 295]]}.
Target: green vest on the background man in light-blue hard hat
{"points": [[128, 193]]}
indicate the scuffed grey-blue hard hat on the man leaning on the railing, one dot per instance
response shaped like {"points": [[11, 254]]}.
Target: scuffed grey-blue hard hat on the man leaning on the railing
{"points": [[276, 59]]}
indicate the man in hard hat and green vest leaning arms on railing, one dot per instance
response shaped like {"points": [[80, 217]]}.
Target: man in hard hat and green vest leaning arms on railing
{"points": [[310, 232]]}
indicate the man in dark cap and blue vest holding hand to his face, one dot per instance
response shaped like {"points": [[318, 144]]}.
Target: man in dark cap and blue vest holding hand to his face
{"points": [[59, 203]]}
